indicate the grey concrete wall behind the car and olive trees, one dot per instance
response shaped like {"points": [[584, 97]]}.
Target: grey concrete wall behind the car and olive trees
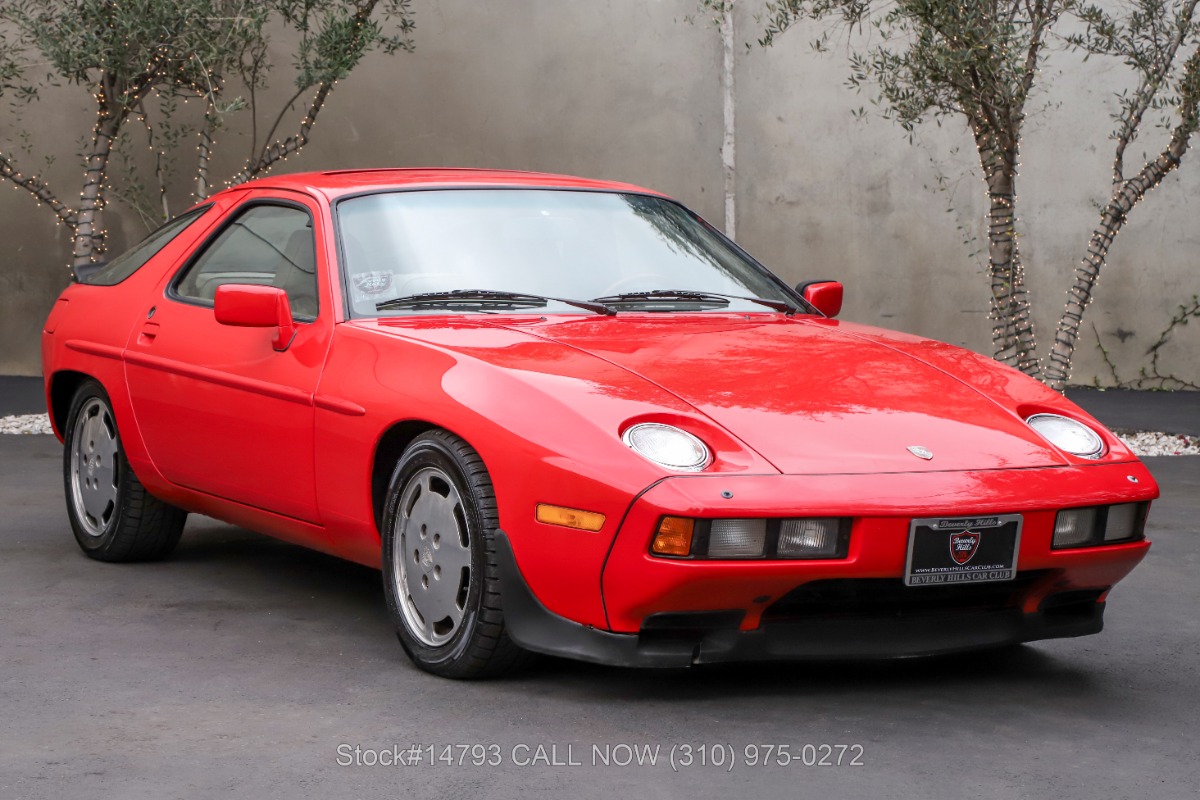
{"points": [[629, 91]]}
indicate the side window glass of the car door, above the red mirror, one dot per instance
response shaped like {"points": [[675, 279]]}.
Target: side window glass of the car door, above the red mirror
{"points": [[266, 245]]}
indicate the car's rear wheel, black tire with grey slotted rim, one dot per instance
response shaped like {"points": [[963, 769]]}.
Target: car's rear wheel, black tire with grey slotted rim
{"points": [[112, 515]]}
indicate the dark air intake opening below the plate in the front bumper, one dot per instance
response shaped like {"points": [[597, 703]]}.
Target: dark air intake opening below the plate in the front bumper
{"points": [[881, 598]]}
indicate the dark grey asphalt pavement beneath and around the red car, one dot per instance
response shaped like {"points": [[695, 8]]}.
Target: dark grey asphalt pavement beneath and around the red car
{"points": [[248, 667]]}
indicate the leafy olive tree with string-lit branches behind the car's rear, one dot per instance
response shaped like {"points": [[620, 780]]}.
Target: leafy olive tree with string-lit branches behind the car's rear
{"points": [[140, 58]]}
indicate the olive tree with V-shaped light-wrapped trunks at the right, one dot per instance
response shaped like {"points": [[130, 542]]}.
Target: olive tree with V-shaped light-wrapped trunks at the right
{"points": [[980, 62]]}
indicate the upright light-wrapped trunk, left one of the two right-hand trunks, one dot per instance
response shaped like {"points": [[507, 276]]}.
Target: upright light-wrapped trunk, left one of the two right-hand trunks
{"points": [[1015, 341]]}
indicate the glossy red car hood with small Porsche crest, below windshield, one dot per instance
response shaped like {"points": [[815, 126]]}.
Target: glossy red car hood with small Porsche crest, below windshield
{"points": [[808, 395]]}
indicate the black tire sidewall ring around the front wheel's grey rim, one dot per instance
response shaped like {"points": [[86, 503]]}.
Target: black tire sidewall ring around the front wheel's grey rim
{"points": [[434, 453]]}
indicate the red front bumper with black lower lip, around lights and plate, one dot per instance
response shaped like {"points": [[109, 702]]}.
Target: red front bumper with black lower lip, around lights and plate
{"points": [[664, 612]]}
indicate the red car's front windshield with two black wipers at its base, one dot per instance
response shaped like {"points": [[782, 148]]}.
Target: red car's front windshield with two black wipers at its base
{"points": [[470, 251]]}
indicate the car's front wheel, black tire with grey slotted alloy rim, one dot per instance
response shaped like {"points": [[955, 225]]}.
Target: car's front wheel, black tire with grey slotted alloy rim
{"points": [[440, 572]]}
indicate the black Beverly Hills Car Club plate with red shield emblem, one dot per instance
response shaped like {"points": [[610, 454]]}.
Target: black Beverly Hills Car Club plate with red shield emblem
{"points": [[963, 550]]}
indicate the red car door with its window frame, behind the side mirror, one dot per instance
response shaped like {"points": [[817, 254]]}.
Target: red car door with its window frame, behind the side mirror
{"points": [[219, 408]]}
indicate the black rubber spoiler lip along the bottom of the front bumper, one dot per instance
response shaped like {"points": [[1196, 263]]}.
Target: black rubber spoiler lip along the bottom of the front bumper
{"points": [[686, 639]]}
